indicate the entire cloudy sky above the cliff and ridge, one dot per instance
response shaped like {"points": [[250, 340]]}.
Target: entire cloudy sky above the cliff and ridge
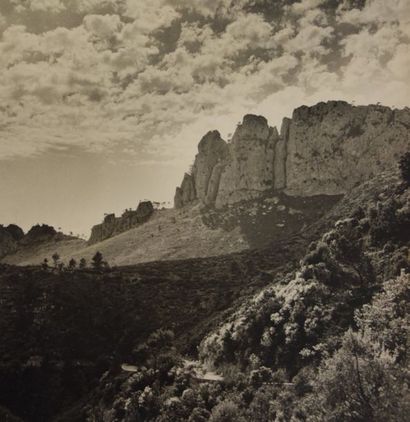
{"points": [[103, 102]]}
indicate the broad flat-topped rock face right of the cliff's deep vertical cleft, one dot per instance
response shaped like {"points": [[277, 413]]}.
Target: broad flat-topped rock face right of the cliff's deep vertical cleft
{"points": [[332, 146]]}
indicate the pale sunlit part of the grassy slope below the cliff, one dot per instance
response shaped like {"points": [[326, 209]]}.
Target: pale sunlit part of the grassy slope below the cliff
{"points": [[169, 234]]}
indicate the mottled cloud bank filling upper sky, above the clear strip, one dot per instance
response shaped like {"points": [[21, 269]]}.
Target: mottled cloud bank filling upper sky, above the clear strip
{"points": [[150, 77]]}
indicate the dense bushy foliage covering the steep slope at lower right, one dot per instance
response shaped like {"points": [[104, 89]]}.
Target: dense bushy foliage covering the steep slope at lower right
{"points": [[327, 342]]}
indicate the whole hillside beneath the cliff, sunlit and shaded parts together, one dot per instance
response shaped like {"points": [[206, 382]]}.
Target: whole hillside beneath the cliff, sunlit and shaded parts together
{"points": [[191, 232]]}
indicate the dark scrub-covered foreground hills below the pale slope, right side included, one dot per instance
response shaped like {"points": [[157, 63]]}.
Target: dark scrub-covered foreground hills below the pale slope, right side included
{"points": [[261, 318]]}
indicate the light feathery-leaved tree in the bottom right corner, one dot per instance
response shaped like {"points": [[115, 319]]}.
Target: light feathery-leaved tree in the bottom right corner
{"points": [[367, 378]]}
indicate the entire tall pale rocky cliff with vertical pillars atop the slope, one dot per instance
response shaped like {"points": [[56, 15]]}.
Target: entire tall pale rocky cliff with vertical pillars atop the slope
{"points": [[325, 149]]}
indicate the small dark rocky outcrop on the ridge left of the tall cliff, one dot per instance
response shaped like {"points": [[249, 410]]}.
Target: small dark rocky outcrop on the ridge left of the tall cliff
{"points": [[113, 225]]}
